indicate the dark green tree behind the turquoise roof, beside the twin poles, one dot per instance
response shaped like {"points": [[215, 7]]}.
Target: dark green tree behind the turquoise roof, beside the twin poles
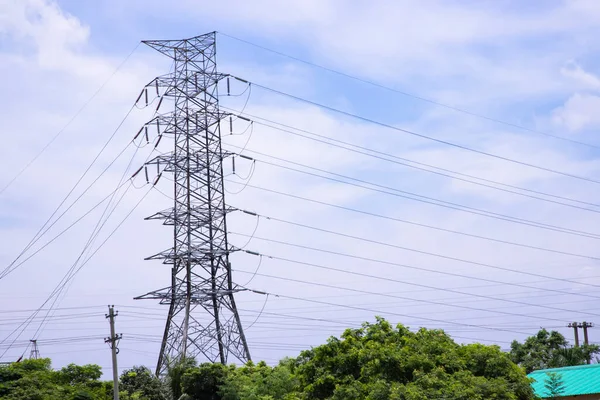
{"points": [[549, 350]]}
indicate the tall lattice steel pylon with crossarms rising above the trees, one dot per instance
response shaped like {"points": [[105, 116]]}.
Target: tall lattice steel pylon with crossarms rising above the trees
{"points": [[203, 319]]}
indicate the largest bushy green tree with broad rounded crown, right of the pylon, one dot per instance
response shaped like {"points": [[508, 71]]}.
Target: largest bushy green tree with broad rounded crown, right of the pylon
{"points": [[378, 361]]}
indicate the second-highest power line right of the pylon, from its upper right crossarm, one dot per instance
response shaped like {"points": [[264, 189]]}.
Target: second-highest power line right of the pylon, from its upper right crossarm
{"points": [[422, 136]]}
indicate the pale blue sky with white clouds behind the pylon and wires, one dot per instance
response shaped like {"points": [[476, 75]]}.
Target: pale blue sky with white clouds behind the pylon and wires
{"points": [[464, 198]]}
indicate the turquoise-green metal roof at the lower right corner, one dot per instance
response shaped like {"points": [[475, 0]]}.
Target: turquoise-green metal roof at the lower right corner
{"points": [[582, 379]]}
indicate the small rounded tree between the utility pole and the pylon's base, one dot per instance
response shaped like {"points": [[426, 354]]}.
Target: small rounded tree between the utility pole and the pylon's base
{"points": [[138, 383]]}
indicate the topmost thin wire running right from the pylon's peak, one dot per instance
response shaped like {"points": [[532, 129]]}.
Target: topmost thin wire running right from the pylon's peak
{"points": [[434, 102]]}
